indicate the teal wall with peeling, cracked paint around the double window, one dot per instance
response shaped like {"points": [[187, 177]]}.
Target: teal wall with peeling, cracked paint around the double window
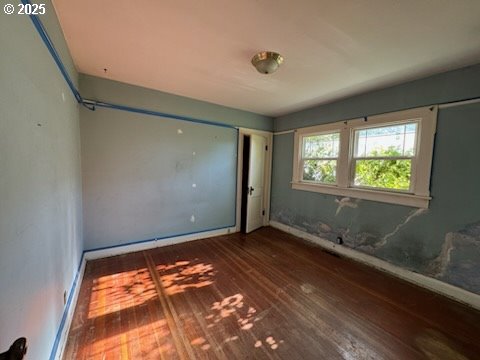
{"points": [[441, 242]]}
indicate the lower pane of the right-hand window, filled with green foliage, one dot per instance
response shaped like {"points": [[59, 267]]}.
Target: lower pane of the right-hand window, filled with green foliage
{"points": [[383, 173]]}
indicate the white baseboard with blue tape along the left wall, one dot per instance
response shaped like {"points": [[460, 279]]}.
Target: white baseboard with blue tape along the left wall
{"points": [[68, 311]]}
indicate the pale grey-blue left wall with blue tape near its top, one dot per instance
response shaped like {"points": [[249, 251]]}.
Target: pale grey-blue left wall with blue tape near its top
{"points": [[40, 184]]}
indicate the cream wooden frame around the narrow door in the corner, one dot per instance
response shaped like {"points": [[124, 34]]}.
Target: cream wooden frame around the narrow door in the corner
{"points": [[268, 173]]}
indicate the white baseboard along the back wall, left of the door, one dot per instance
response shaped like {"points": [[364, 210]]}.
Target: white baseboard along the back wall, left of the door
{"points": [[128, 248]]}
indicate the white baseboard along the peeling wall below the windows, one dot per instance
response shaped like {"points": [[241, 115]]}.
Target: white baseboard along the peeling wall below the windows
{"points": [[435, 285]]}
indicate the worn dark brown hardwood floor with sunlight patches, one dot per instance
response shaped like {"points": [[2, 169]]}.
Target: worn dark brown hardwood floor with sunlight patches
{"points": [[260, 296]]}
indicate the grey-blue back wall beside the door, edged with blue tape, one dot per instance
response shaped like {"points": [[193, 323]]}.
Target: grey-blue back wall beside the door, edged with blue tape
{"points": [[144, 176]]}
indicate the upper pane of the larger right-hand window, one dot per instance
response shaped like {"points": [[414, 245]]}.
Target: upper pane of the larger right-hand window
{"points": [[394, 140]]}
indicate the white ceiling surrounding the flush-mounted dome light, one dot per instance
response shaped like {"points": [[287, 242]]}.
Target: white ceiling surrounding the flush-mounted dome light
{"points": [[332, 49]]}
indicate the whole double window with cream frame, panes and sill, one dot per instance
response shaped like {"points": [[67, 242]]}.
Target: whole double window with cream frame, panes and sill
{"points": [[383, 158]]}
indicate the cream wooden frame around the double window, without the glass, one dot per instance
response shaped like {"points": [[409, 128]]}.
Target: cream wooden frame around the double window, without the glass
{"points": [[419, 193]]}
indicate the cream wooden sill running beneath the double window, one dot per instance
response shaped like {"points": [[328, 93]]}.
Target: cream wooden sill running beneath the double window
{"points": [[366, 194]]}
